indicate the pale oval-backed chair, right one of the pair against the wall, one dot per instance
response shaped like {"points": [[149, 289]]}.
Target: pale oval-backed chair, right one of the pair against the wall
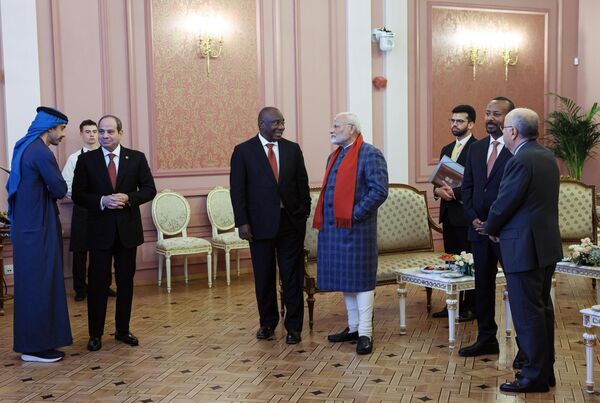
{"points": [[224, 234]]}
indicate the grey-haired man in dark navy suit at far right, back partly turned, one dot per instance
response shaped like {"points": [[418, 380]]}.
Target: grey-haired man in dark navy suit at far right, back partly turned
{"points": [[525, 219]]}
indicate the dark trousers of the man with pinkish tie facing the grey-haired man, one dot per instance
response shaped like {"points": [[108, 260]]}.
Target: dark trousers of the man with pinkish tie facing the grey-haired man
{"points": [[486, 255]]}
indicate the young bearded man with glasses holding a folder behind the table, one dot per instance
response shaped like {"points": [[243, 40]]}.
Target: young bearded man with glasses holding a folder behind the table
{"points": [[452, 215]]}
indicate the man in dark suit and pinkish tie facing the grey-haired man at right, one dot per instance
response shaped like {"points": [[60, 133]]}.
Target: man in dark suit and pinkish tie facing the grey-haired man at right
{"points": [[483, 172]]}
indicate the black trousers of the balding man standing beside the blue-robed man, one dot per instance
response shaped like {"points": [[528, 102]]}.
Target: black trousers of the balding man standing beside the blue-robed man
{"points": [[99, 277]]}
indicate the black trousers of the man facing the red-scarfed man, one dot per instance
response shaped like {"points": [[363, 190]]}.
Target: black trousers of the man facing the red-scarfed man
{"points": [[287, 249]]}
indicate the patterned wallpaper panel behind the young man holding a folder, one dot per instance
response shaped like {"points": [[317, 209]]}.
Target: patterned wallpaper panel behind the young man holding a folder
{"points": [[452, 76]]}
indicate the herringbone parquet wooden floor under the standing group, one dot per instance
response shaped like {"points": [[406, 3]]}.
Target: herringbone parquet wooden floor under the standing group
{"points": [[199, 345]]}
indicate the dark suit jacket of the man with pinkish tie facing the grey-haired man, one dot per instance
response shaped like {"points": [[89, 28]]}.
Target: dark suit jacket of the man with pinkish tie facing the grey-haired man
{"points": [[479, 191]]}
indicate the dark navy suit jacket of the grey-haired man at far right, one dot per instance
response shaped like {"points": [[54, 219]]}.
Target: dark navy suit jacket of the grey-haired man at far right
{"points": [[525, 214]]}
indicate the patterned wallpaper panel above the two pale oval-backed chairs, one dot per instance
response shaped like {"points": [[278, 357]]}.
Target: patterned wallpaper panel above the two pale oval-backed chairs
{"points": [[199, 119]]}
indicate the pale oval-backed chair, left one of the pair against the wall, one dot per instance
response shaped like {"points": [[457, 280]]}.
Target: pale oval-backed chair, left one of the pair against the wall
{"points": [[171, 216]]}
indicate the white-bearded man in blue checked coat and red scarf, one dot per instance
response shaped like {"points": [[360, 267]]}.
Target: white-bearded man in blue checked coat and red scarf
{"points": [[354, 186]]}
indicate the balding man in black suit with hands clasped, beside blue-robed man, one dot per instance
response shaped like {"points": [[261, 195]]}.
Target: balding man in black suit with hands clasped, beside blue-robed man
{"points": [[111, 182]]}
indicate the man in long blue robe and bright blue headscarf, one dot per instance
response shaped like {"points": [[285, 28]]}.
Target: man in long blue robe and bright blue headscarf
{"points": [[41, 318]]}
